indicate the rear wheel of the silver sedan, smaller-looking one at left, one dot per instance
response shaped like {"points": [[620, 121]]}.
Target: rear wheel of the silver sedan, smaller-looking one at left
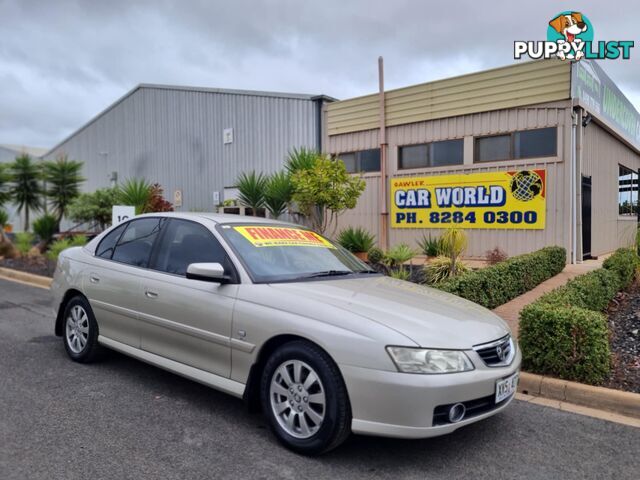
{"points": [[80, 331]]}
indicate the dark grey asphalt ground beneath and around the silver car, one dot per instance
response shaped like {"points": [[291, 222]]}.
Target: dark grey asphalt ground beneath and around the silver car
{"points": [[123, 419]]}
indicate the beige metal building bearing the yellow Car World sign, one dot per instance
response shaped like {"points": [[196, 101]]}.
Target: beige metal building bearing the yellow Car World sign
{"points": [[566, 121]]}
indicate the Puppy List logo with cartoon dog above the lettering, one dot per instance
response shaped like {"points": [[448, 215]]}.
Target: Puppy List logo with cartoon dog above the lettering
{"points": [[570, 37]]}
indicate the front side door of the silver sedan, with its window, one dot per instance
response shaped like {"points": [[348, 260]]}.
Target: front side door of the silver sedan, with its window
{"points": [[185, 320]]}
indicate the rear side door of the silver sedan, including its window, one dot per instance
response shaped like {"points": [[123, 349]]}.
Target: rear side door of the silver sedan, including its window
{"points": [[112, 282]]}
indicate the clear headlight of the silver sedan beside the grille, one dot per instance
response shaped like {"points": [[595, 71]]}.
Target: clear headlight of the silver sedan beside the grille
{"points": [[423, 360]]}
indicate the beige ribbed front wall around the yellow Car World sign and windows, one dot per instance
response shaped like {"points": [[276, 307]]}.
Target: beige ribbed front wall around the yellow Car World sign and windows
{"points": [[557, 231]]}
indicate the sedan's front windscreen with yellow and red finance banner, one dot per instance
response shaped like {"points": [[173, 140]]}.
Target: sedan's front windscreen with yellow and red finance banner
{"points": [[282, 253]]}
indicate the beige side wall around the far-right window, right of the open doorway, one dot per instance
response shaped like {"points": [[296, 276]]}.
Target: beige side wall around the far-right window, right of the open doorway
{"points": [[602, 153]]}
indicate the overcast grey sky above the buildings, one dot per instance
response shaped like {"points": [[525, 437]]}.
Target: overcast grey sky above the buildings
{"points": [[63, 61]]}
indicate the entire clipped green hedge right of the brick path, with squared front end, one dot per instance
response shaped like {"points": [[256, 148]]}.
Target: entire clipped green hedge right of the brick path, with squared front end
{"points": [[564, 333]]}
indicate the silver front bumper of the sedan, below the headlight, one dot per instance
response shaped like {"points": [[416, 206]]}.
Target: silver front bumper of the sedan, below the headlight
{"points": [[394, 404]]}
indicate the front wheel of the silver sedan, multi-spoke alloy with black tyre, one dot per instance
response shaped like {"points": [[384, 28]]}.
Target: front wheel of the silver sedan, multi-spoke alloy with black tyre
{"points": [[304, 398]]}
